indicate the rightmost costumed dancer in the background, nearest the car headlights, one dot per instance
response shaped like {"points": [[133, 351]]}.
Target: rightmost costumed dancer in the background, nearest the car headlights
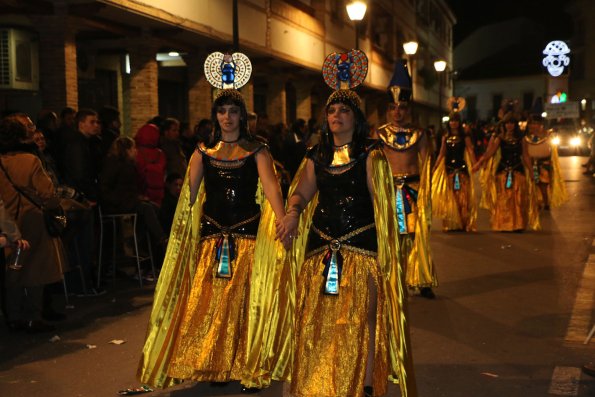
{"points": [[546, 165]]}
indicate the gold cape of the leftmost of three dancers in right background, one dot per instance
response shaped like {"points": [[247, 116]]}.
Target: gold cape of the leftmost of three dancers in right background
{"points": [[444, 204]]}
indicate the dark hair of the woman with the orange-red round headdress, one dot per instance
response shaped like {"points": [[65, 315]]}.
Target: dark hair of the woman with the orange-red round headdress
{"points": [[360, 134]]}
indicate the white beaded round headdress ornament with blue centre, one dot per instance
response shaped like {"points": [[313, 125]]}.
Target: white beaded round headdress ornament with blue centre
{"points": [[225, 71]]}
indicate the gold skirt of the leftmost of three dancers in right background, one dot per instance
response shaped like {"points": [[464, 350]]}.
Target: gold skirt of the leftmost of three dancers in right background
{"points": [[462, 220]]}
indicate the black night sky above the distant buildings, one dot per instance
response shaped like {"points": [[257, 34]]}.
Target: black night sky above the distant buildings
{"points": [[472, 14]]}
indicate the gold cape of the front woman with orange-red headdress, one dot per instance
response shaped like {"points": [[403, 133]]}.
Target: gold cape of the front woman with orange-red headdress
{"points": [[400, 354]]}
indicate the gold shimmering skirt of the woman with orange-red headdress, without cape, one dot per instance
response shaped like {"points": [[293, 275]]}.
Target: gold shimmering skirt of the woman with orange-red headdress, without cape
{"points": [[332, 331]]}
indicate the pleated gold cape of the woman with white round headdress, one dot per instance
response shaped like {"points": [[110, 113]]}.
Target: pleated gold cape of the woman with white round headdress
{"points": [[269, 322]]}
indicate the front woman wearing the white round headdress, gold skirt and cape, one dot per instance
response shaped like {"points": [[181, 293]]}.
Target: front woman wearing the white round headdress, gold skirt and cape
{"points": [[218, 309]]}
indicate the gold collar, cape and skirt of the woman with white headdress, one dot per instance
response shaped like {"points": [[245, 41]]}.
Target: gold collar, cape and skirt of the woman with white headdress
{"points": [[208, 328]]}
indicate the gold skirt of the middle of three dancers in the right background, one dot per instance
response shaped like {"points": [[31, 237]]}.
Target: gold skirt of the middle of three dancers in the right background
{"points": [[510, 211]]}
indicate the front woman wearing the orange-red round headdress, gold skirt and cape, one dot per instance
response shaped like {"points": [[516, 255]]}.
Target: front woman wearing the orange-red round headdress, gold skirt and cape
{"points": [[351, 331]]}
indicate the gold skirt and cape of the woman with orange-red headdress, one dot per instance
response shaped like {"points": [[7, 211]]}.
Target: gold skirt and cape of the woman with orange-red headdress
{"points": [[327, 325]]}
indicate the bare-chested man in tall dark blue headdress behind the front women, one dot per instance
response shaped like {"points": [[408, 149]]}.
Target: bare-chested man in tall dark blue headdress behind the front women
{"points": [[406, 149]]}
